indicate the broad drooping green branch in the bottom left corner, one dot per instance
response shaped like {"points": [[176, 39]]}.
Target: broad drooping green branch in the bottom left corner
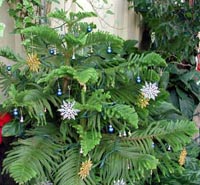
{"points": [[29, 158]]}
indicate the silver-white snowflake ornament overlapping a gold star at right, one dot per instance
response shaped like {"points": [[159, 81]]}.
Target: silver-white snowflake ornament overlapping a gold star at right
{"points": [[150, 90]]}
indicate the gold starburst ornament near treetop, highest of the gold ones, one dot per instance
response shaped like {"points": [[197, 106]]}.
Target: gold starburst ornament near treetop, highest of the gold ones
{"points": [[33, 62]]}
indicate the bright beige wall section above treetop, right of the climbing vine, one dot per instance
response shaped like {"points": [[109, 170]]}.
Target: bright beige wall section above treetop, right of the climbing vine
{"points": [[123, 22]]}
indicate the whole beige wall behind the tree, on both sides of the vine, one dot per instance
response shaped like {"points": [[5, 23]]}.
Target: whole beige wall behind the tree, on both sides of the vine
{"points": [[123, 22]]}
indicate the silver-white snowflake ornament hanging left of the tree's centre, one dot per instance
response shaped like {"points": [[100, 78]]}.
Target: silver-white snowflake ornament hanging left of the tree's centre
{"points": [[67, 111]]}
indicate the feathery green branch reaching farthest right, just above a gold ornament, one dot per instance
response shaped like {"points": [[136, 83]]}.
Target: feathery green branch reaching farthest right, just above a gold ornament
{"points": [[176, 134]]}
